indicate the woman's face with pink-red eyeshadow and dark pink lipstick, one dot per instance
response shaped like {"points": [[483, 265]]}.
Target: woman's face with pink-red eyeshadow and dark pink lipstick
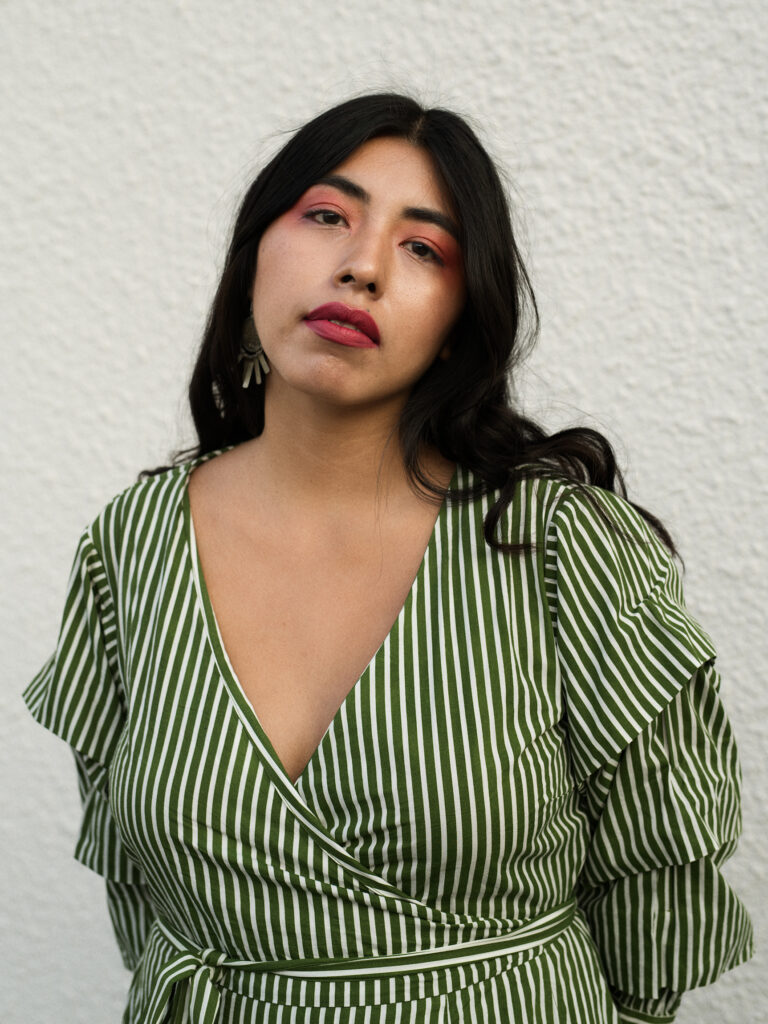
{"points": [[376, 238]]}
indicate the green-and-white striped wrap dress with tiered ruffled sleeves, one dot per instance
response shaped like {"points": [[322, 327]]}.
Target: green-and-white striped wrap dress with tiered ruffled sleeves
{"points": [[519, 814]]}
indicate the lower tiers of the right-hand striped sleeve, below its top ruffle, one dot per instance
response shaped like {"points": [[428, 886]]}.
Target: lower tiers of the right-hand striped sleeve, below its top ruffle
{"points": [[665, 817]]}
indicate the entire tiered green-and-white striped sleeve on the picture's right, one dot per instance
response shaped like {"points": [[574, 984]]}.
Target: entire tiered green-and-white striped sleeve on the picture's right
{"points": [[655, 760]]}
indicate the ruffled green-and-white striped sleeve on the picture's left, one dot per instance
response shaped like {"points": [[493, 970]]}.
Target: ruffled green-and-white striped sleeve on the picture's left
{"points": [[80, 697]]}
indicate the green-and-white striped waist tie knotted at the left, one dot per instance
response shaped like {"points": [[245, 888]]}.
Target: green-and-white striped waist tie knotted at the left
{"points": [[203, 970]]}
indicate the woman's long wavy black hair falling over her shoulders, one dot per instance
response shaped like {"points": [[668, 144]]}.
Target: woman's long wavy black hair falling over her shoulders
{"points": [[461, 406]]}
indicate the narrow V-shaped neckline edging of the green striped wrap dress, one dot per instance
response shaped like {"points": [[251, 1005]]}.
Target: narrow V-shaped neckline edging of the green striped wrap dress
{"points": [[216, 643]]}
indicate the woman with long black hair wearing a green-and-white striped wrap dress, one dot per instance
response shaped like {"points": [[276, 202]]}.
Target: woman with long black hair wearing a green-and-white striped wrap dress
{"points": [[387, 706]]}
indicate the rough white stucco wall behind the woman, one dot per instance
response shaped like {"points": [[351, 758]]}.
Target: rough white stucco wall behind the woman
{"points": [[634, 136]]}
